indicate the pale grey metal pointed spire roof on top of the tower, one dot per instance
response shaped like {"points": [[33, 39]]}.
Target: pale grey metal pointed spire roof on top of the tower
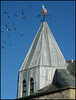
{"points": [[44, 50]]}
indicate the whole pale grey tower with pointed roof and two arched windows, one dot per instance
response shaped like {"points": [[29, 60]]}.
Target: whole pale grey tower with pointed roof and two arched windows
{"points": [[41, 62]]}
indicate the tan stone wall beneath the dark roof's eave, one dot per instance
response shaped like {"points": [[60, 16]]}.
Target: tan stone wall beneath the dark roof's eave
{"points": [[66, 94]]}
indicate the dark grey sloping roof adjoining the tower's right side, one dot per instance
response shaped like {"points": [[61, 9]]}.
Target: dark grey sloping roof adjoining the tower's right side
{"points": [[67, 75]]}
